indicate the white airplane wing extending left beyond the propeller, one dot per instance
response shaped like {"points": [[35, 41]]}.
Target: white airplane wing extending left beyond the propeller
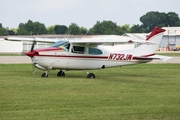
{"points": [[32, 39]]}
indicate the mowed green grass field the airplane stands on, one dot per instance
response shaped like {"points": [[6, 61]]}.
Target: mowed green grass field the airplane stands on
{"points": [[144, 91]]}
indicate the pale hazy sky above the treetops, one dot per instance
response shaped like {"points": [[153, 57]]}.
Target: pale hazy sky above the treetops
{"points": [[85, 13]]}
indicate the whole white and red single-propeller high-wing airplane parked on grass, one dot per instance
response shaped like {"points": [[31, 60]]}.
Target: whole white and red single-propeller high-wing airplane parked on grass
{"points": [[92, 53]]}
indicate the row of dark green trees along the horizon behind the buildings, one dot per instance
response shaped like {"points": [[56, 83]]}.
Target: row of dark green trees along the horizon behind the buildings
{"points": [[149, 21]]}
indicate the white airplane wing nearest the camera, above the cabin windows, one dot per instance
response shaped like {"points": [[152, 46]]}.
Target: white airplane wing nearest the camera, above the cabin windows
{"points": [[124, 40]]}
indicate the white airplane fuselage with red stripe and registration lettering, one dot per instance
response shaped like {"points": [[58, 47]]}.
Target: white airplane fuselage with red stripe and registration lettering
{"points": [[68, 60]]}
